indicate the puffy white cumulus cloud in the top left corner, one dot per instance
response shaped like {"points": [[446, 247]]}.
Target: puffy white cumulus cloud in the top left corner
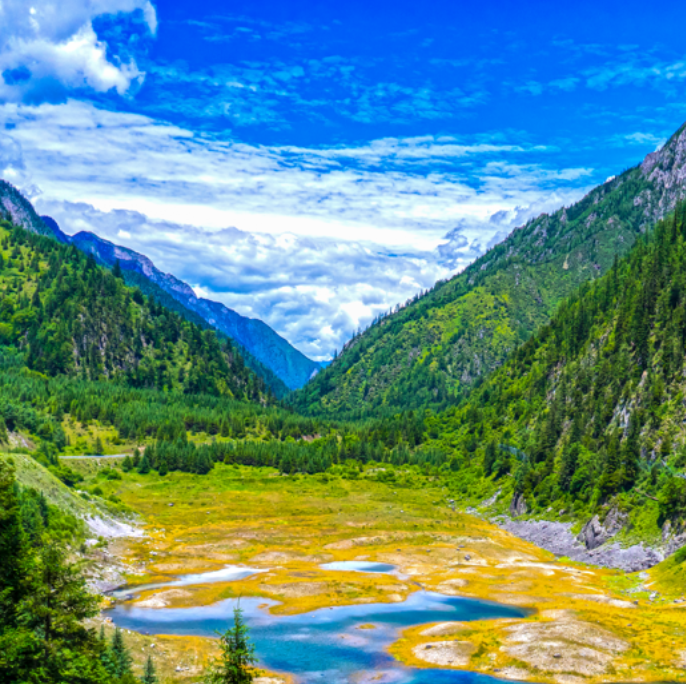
{"points": [[49, 48]]}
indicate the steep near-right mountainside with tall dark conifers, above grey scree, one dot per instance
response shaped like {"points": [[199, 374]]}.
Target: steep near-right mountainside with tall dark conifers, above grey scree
{"points": [[588, 417]]}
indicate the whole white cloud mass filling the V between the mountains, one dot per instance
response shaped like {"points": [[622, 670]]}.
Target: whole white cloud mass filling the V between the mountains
{"points": [[324, 239]]}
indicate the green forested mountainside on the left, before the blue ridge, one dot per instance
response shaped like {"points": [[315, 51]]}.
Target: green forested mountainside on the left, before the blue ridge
{"points": [[70, 317]]}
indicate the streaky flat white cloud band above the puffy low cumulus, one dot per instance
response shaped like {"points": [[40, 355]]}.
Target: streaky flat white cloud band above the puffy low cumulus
{"points": [[117, 160]]}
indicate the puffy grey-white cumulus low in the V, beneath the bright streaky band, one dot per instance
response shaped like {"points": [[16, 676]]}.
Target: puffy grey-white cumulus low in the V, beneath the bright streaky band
{"points": [[313, 291]]}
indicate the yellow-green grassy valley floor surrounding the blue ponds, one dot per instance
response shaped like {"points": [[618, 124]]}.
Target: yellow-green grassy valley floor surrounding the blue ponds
{"points": [[587, 624]]}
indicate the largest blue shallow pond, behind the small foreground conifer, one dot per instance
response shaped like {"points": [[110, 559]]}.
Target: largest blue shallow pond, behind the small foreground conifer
{"points": [[326, 645]]}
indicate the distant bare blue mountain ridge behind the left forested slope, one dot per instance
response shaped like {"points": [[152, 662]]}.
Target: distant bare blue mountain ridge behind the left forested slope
{"points": [[268, 353]]}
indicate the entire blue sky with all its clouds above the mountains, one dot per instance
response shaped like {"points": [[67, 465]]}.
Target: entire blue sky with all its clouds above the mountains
{"points": [[314, 163]]}
